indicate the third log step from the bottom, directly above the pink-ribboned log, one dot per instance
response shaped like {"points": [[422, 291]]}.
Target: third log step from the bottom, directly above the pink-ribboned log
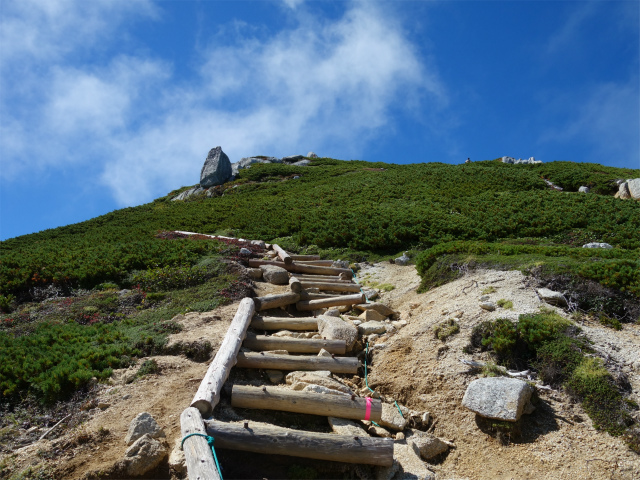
{"points": [[297, 362]]}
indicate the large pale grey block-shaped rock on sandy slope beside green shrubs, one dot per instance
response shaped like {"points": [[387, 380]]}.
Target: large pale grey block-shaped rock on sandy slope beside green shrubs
{"points": [[499, 398]]}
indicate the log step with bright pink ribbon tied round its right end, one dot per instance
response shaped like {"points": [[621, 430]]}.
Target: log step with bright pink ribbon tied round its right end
{"points": [[341, 406]]}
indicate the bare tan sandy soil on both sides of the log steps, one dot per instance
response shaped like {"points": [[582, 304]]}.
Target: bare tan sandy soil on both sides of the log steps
{"points": [[558, 440]]}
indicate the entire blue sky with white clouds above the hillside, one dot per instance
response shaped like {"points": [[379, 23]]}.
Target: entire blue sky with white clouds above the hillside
{"points": [[112, 103]]}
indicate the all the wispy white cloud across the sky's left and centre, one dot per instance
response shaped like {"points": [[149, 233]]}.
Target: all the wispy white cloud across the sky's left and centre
{"points": [[326, 85]]}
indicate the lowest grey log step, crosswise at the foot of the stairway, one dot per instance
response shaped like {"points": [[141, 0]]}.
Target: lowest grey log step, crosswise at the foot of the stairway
{"points": [[296, 443]]}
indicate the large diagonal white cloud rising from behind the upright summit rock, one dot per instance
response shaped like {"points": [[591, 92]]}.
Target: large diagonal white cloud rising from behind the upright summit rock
{"points": [[330, 87]]}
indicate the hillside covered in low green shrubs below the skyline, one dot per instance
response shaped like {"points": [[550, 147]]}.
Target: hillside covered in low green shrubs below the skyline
{"points": [[83, 299]]}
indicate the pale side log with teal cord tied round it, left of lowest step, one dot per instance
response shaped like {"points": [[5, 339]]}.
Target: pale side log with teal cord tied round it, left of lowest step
{"points": [[197, 452]]}
